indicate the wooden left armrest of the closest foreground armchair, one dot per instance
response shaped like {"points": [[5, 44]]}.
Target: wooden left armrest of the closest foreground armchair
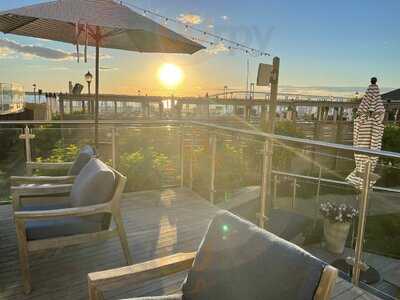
{"points": [[105, 280]]}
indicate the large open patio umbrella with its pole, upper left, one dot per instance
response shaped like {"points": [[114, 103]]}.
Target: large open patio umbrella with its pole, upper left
{"points": [[97, 23]]}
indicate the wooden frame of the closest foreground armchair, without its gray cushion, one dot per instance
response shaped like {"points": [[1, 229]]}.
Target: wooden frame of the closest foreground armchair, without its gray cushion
{"points": [[100, 282]]}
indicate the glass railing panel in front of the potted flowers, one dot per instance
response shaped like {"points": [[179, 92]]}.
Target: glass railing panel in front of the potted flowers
{"points": [[305, 180]]}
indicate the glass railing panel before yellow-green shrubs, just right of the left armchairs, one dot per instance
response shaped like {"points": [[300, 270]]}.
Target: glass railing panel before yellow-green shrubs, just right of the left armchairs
{"points": [[149, 156]]}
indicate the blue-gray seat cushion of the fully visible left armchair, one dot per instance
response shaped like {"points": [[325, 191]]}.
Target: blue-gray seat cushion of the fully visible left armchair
{"points": [[45, 229]]}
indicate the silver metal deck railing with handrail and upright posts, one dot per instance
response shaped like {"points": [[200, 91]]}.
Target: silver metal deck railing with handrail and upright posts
{"points": [[268, 178]]}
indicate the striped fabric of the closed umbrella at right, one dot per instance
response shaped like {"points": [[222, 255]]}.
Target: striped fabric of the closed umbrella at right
{"points": [[368, 133]]}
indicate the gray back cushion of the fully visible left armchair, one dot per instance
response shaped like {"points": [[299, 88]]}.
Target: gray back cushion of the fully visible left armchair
{"points": [[95, 184]]}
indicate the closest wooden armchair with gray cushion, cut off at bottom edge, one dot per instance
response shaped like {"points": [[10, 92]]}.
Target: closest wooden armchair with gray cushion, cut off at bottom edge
{"points": [[236, 260]]}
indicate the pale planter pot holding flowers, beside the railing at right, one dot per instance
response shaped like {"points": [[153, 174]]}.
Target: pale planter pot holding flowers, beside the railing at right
{"points": [[335, 236]]}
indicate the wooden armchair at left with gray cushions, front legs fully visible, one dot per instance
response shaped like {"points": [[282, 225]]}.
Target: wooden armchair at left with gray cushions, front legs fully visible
{"points": [[94, 200]]}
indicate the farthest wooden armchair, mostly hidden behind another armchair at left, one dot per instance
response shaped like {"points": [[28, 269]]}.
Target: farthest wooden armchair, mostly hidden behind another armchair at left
{"points": [[72, 169]]}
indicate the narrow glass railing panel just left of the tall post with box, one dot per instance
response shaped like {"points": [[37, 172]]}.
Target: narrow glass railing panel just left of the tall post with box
{"points": [[238, 174]]}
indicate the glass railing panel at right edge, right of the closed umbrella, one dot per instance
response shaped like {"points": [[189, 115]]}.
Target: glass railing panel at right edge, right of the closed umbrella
{"points": [[381, 244]]}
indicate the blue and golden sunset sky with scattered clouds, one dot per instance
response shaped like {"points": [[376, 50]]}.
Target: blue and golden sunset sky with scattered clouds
{"points": [[326, 47]]}
